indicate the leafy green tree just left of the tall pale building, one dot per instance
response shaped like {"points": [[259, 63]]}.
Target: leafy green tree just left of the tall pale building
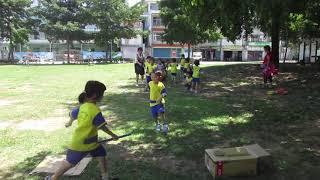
{"points": [[115, 20]]}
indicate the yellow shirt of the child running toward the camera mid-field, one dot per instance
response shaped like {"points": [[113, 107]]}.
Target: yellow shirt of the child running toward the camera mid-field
{"points": [[156, 90]]}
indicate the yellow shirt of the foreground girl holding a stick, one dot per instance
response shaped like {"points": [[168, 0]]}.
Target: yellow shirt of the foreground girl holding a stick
{"points": [[86, 129]]}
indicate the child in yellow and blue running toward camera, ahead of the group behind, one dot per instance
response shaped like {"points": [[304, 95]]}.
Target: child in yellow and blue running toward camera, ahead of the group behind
{"points": [[157, 94]]}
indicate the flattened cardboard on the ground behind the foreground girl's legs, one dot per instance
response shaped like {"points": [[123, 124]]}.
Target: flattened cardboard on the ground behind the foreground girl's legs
{"points": [[51, 163]]}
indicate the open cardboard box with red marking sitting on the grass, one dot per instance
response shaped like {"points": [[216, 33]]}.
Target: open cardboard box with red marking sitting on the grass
{"points": [[237, 161]]}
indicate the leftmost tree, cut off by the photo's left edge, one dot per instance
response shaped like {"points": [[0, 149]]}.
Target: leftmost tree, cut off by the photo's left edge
{"points": [[15, 22]]}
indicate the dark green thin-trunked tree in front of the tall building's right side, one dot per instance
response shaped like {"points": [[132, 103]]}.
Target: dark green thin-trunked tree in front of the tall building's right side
{"points": [[181, 27]]}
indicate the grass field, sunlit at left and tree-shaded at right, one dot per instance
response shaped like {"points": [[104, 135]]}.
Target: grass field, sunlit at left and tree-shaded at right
{"points": [[232, 110]]}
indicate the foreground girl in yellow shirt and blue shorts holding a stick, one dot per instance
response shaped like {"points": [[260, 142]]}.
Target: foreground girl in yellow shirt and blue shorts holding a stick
{"points": [[85, 136]]}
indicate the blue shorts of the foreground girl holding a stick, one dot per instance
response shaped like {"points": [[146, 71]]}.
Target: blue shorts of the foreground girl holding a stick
{"points": [[74, 157]]}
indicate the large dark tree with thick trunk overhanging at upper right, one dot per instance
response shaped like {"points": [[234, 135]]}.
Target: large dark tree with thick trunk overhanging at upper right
{"points": [[236, 18]]}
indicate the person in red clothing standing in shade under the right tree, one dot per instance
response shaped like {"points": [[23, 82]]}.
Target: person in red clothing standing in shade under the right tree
{"points": [[268, 67]]}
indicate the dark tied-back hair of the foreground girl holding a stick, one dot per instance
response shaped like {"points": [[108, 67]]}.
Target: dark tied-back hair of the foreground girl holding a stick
{"points": [[92, 88]]}
